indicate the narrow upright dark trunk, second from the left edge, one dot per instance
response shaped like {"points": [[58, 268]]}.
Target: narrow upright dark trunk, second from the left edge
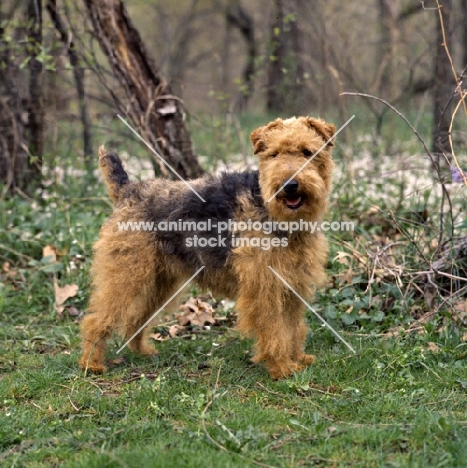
{"points": [[36, 100]]}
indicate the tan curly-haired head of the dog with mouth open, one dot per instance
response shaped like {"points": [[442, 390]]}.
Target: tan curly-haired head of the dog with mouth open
{"points": [[295, 167]]}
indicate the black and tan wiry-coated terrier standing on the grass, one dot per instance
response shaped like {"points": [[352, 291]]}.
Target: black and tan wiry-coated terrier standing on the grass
{"points": [[135, 272]]}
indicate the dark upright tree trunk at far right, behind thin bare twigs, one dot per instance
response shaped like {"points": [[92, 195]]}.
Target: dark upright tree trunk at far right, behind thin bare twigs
{"points": [[444, 84]]}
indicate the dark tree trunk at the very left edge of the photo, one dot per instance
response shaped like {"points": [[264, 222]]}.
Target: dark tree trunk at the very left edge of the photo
{"points": [[14, 171]]}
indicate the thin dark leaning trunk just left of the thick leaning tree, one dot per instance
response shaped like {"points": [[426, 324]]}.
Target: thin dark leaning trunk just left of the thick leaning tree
{"points": [[78, 73]]}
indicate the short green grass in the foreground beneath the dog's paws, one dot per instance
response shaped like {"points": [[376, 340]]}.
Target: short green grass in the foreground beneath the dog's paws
{"points": [[201, 403]]}
